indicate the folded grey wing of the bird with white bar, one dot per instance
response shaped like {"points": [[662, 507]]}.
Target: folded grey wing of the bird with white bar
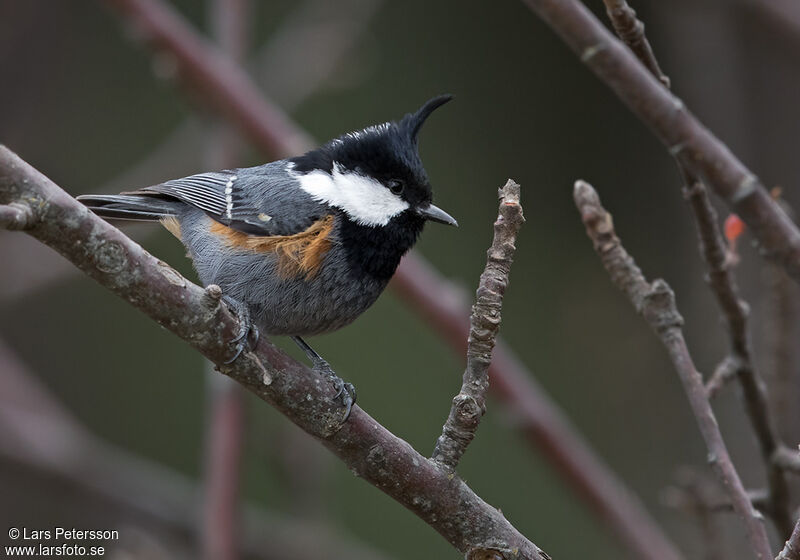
{"points": [[257, 200]]}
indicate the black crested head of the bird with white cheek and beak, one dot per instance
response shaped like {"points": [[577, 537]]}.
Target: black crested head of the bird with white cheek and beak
{"points": [[374, 175]]}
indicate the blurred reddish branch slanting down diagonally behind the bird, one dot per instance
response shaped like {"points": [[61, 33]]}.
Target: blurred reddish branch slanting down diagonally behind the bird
{"points": [[541, 420]]}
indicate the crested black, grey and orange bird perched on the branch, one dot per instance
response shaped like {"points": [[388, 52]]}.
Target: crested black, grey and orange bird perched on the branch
{"points": [[300, 246]]}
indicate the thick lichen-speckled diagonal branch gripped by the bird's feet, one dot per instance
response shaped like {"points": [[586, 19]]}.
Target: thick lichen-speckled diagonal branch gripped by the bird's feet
{"points": [[443, 501]]}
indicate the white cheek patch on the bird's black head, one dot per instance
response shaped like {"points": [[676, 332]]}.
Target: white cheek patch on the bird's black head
{"points": [[365, 200]]}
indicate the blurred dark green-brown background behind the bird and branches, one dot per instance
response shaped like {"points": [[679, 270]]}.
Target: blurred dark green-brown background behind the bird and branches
{"points": [[84, 102]]}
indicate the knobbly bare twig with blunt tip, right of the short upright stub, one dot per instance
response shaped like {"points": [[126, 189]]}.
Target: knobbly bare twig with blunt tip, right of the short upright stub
{"points": [[656, 302]]}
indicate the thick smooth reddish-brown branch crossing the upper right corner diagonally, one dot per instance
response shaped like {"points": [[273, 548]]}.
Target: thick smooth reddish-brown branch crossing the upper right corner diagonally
{"points": [[678, 129]]}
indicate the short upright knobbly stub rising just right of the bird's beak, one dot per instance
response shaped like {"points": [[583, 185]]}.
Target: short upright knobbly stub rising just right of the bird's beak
{"points": [[470, 403]]}
